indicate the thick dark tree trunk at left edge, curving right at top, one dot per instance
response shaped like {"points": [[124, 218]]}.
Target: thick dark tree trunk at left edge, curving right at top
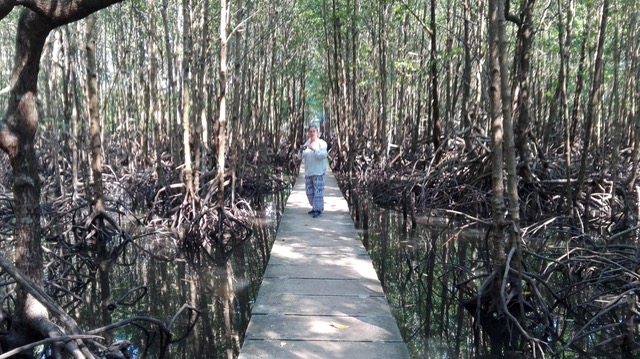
{"points": [[17, 135]]}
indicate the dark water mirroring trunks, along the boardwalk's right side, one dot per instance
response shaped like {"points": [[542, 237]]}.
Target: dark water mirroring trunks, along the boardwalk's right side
{"points": [[419, 269]]}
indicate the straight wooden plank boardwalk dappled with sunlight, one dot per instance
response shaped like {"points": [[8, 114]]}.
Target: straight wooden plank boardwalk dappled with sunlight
{"points": [[320, 296]]}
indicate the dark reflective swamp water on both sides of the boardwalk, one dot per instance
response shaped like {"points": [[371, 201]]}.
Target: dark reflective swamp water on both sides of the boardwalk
{"points": [[417, 267]]}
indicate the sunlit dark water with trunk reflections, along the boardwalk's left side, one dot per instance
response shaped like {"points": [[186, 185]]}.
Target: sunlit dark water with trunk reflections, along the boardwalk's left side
{"points": [[222, 294]]}
